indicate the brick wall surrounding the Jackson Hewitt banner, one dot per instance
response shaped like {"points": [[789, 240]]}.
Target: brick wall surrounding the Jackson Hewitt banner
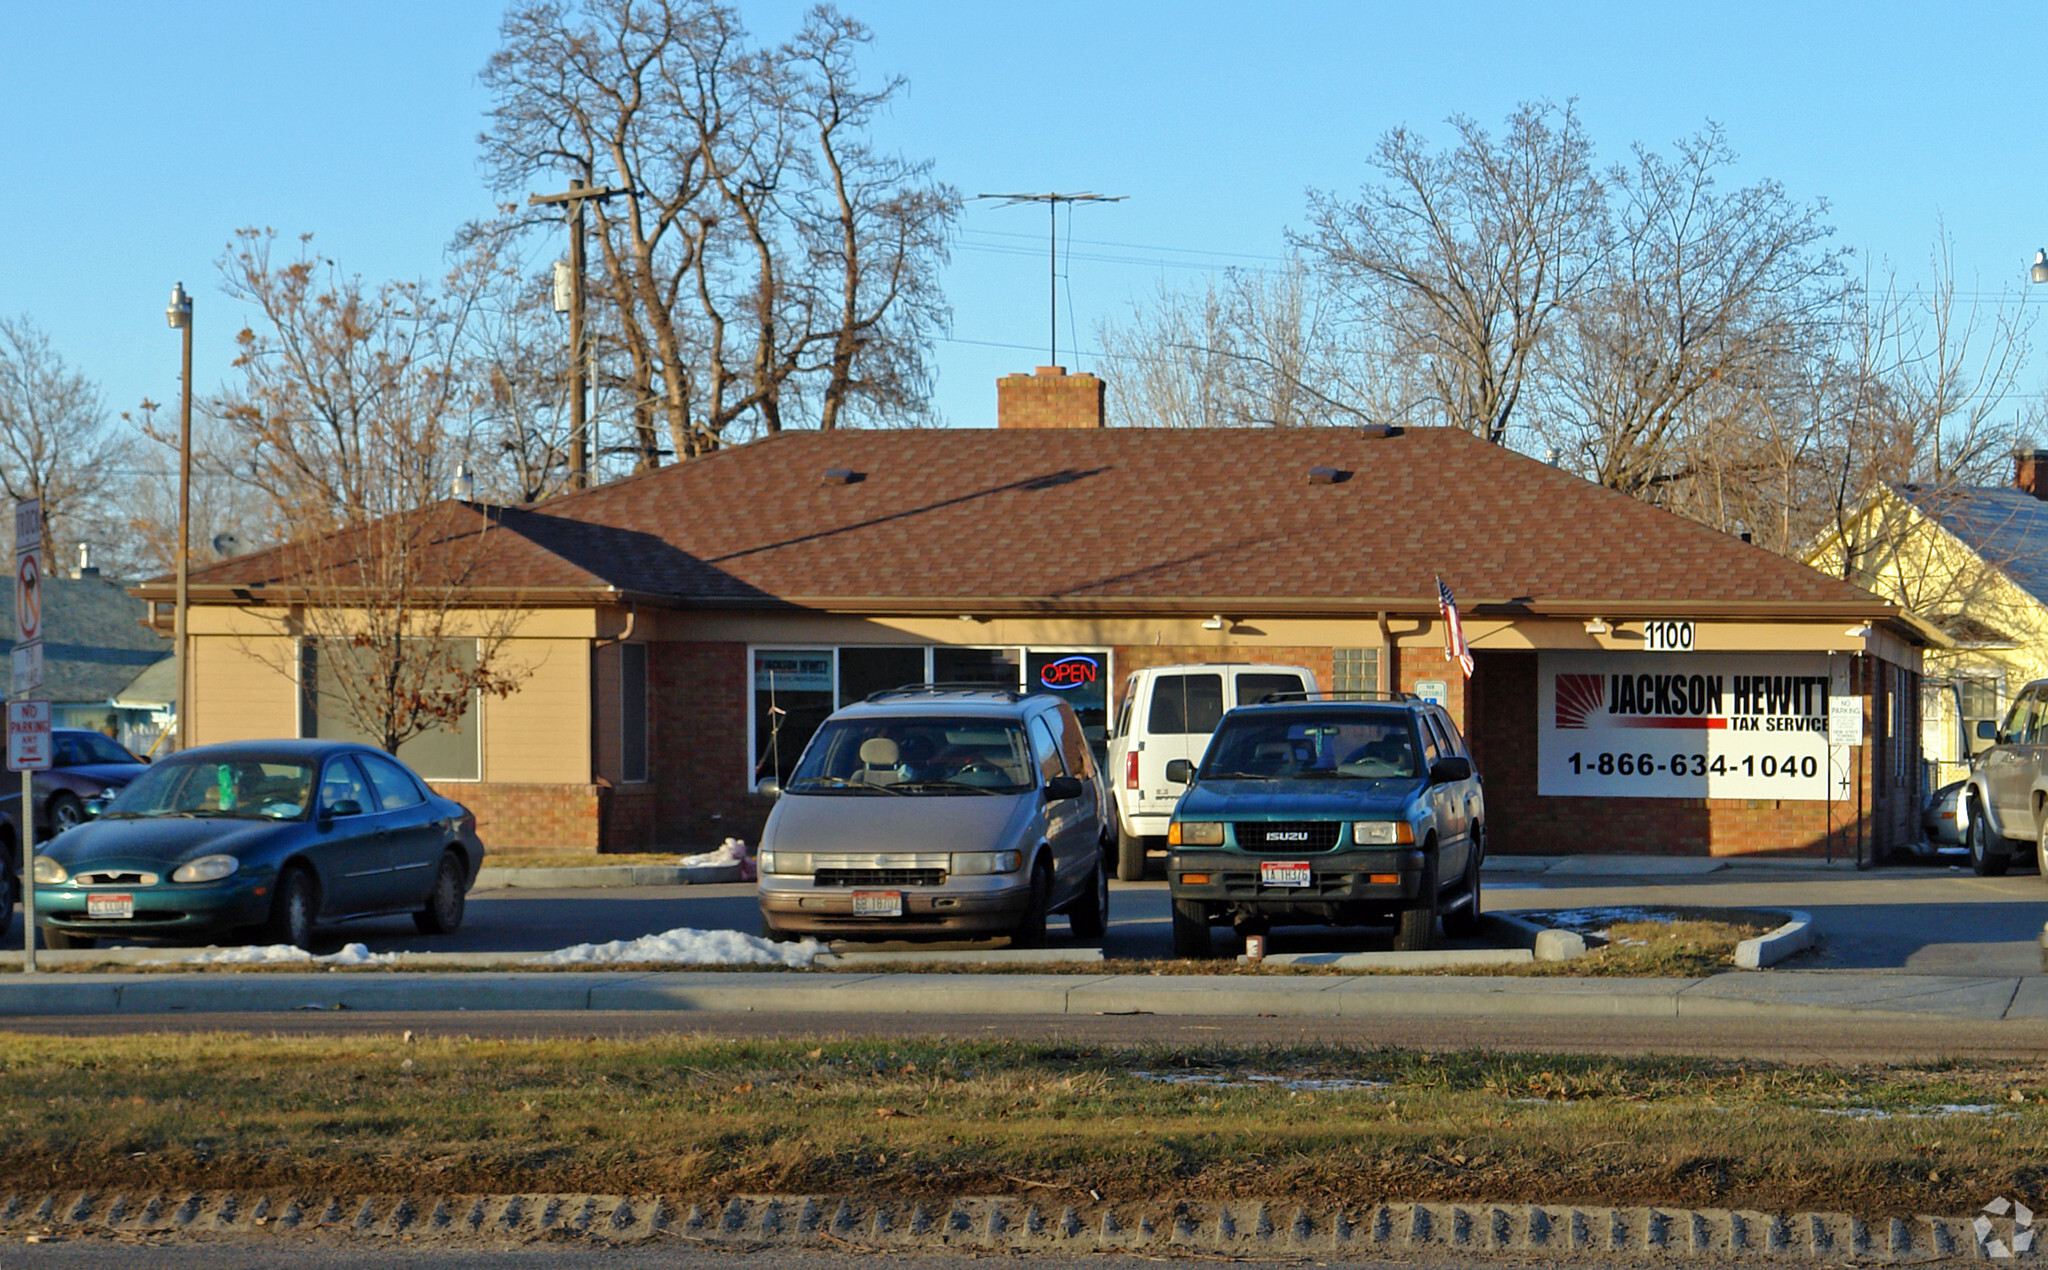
{"points": [[1523, 822]]}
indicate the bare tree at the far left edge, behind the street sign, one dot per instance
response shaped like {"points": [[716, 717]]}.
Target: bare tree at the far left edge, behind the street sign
{"points": [[56, 441]]}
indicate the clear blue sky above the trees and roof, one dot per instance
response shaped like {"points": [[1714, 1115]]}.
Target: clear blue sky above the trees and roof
{"points": [[140, 136]]}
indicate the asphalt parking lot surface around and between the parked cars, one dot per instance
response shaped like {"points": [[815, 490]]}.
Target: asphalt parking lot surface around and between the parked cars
{"points": [[1936, 921]]}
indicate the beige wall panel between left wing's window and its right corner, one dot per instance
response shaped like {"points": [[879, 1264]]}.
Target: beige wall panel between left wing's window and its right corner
{"points": [[542, 734]]}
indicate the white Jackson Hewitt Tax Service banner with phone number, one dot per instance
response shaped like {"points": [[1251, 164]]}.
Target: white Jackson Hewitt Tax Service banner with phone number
{"points": [[1682, 726]]}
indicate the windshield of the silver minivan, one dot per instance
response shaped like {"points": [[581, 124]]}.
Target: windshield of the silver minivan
{"points": [[916, 757]]}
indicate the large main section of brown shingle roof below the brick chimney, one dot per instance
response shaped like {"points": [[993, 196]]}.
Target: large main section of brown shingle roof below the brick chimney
{"points": [[1140, 517]]}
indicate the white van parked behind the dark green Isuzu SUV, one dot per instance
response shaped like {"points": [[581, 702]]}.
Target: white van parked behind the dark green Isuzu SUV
{"points": [[1168, 714]]}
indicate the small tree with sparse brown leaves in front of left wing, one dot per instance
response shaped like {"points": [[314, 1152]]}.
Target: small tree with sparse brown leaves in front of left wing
{"points": [[349, 413]]}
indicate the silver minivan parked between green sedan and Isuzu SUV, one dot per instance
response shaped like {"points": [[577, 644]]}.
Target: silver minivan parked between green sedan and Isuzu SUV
{"points": [[939, 810]]}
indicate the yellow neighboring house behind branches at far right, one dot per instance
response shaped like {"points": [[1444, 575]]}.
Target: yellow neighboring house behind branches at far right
{"points": [[1971, 564]]}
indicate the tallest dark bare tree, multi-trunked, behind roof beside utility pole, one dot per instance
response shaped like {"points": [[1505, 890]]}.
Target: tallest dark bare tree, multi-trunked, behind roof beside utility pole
{"points": [[763, 263]]}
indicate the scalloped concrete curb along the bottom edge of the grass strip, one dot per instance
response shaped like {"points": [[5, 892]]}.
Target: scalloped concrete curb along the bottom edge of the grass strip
{"points": [[1015, 1224]]}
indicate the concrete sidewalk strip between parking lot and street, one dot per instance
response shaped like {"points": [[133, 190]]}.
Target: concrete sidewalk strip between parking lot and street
{"points": [[1777, 994]]}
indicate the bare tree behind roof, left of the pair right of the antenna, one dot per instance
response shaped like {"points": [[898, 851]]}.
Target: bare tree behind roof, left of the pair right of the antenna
{"points": [[1467, 257]]}
